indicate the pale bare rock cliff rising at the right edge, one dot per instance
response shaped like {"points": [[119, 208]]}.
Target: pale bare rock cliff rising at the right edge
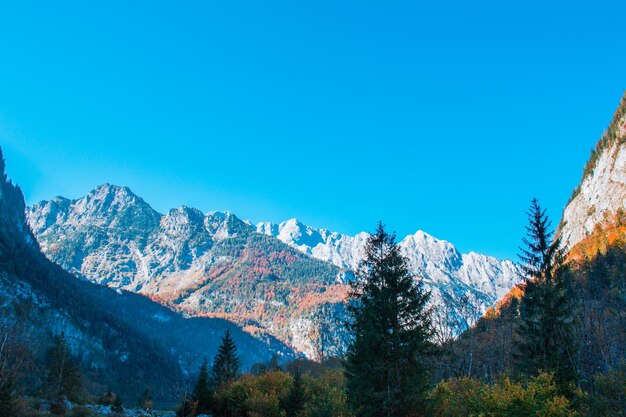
{"points": [[602, 191]]}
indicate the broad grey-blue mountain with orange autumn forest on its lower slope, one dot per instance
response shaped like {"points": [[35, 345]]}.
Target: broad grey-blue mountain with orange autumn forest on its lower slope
{"points": [[211, 264]]}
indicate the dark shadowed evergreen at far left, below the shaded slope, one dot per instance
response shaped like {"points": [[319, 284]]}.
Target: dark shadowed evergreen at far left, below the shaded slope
{"points": [[63, 377]]}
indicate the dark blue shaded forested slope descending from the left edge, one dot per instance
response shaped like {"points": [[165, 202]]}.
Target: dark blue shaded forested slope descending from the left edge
{"points": [[121, 340]]}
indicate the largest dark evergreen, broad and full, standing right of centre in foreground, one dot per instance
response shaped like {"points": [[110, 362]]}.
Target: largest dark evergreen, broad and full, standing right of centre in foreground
{"points": [[386, 373]]}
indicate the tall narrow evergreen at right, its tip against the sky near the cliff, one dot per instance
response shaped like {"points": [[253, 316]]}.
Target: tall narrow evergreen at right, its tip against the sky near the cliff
{"points": [[546, 340]]}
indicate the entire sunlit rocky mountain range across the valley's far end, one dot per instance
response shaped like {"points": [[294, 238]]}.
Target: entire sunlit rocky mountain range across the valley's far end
{"points": [[287, 280]]}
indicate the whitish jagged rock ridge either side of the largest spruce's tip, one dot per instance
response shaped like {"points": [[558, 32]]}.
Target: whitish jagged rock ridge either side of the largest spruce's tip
{"points": [[453, 277]]}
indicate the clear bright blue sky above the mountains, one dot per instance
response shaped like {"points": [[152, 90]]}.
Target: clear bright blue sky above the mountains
{"points": [[441, 116]]}
